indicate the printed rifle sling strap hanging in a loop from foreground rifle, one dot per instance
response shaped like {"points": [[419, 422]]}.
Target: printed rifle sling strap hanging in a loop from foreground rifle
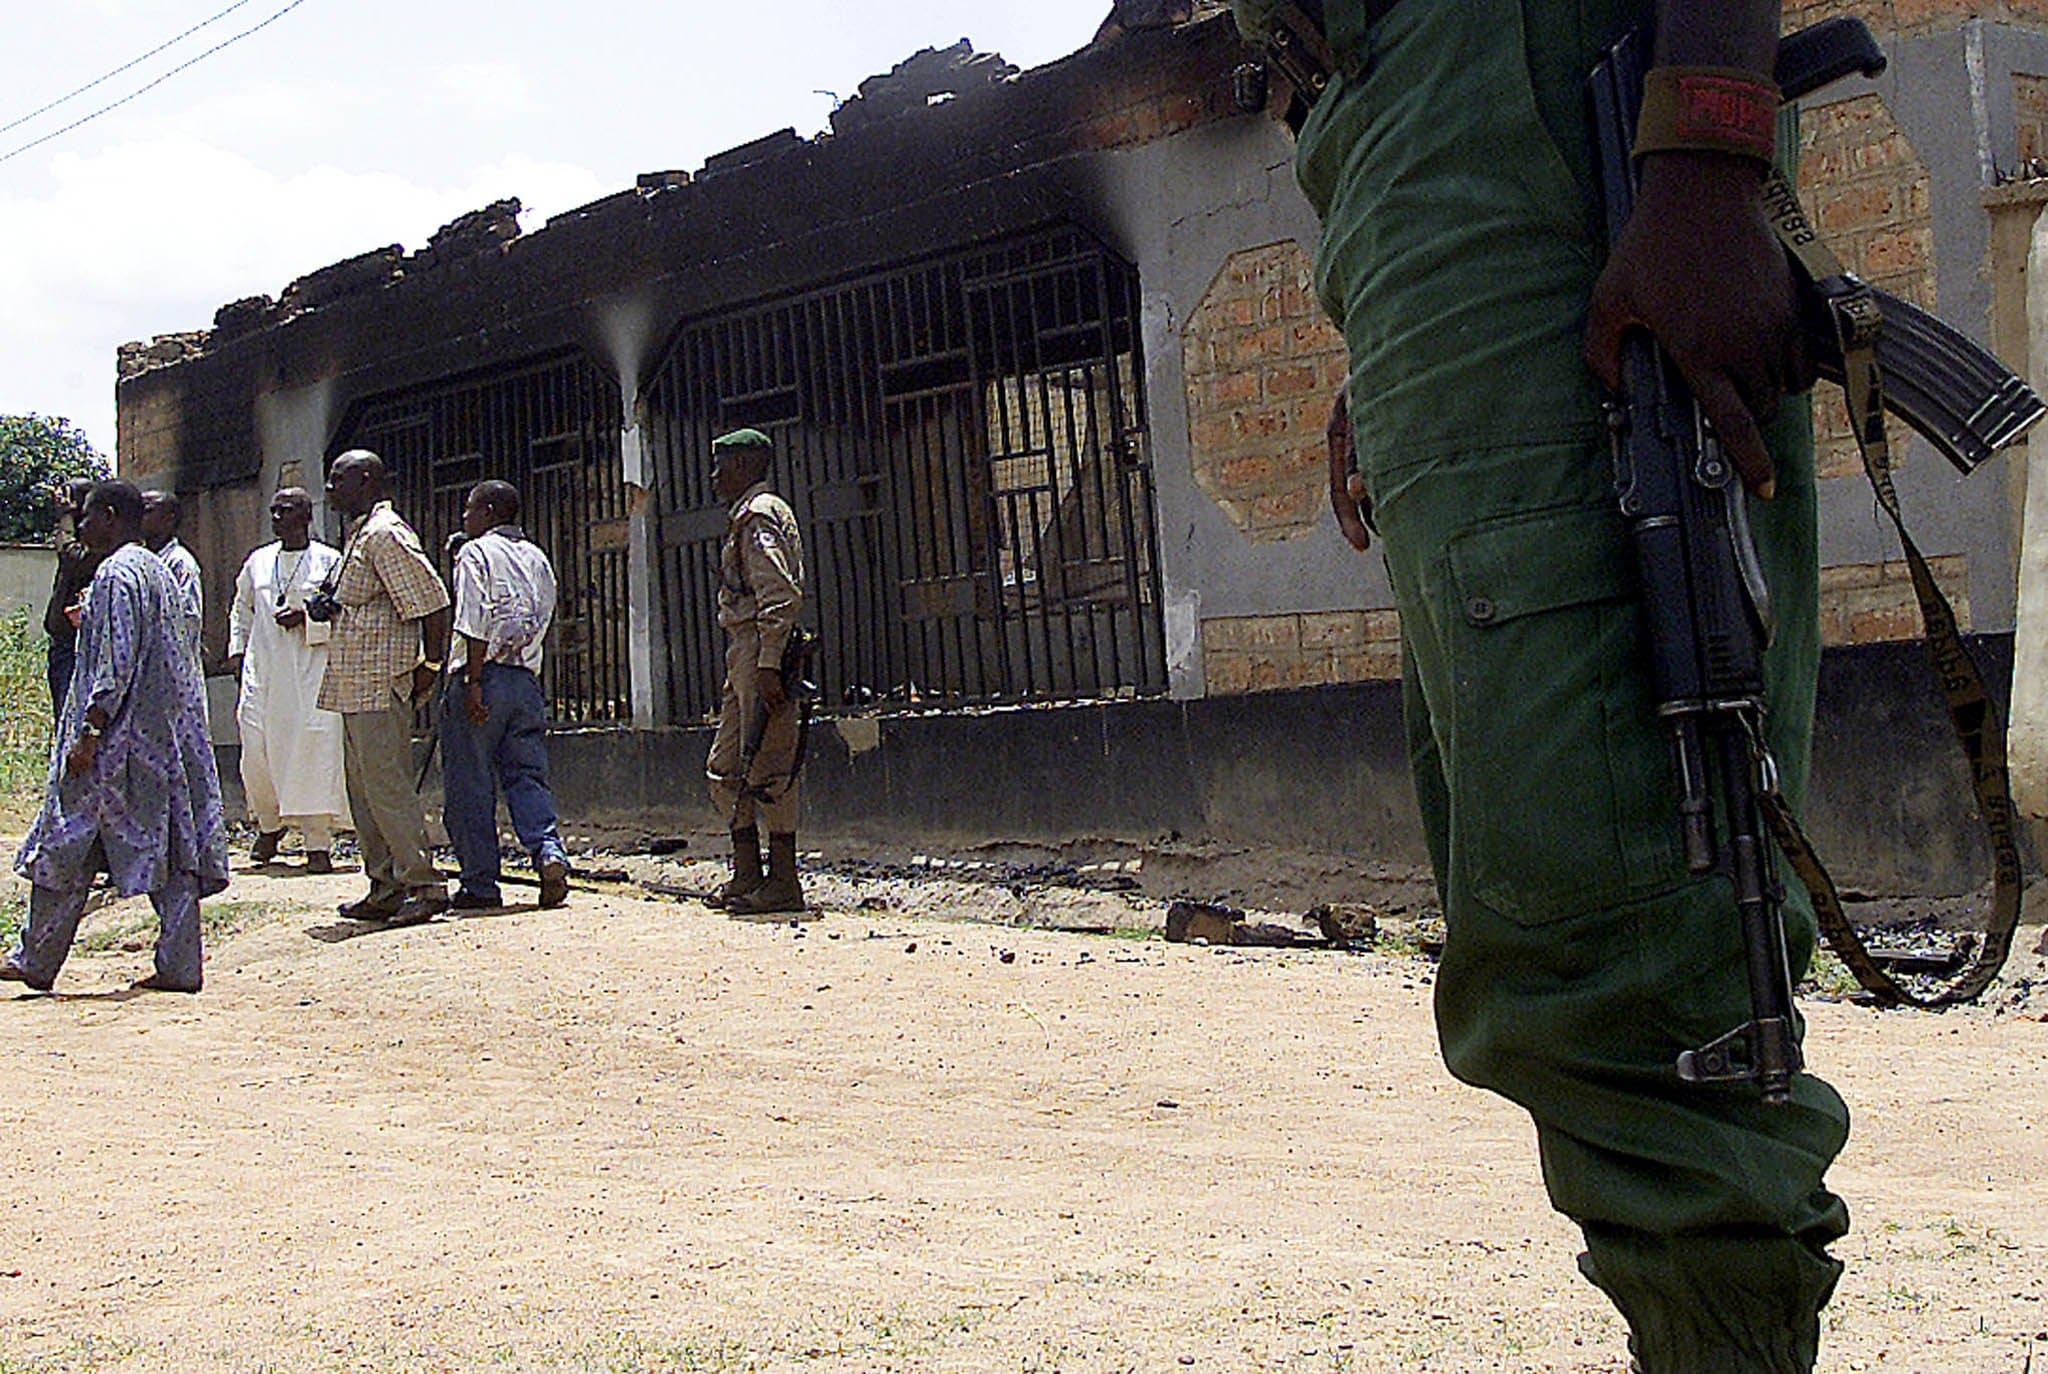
{"points": [[1975, 718]]}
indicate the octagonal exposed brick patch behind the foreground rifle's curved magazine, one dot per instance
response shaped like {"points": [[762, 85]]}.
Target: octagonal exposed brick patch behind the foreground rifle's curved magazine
{"points": [[1869, 194]]}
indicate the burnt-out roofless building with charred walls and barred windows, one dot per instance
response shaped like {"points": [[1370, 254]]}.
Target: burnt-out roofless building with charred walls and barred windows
{"points": [[1048, 380]]}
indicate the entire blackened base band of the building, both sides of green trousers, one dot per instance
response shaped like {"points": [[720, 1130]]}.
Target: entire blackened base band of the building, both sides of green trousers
{"points": [[1316, 769]]}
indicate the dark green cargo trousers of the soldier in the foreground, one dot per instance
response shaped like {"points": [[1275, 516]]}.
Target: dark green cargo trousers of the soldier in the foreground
{"points": [[1453, 173]]}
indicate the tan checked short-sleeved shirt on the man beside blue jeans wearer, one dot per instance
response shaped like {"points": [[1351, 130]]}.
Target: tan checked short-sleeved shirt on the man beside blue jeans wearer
{"points": [[386, 589]]}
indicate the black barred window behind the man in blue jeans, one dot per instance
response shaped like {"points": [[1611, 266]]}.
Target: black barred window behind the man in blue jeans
{"points": [[552, 429]]}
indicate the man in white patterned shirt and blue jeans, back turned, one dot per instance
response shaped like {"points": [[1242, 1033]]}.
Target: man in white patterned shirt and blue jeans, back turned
{"points": [[495, 716]]}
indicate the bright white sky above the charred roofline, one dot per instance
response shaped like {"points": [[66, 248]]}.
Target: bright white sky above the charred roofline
{"points": [[357, 124]]}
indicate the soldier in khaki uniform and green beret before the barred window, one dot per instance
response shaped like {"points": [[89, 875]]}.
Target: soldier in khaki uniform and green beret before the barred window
{"points": [[761, 597]]}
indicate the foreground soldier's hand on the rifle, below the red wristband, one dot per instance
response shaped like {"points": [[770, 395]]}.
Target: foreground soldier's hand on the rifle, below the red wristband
{"points": [[1701, 269]]}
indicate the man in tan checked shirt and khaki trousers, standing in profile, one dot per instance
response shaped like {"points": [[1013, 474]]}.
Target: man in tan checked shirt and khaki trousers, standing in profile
{"points": [[390, 640]]}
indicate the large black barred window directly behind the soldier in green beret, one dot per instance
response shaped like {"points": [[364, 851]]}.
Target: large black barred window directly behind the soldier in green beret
{"points": [[966, 449]]}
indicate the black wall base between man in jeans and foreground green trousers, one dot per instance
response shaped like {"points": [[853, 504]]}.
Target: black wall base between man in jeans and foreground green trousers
{"points": [[1312, 769]]}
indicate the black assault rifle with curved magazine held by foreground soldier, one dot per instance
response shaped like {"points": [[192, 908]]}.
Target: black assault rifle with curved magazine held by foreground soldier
{"points": [[1707, 605]]}
